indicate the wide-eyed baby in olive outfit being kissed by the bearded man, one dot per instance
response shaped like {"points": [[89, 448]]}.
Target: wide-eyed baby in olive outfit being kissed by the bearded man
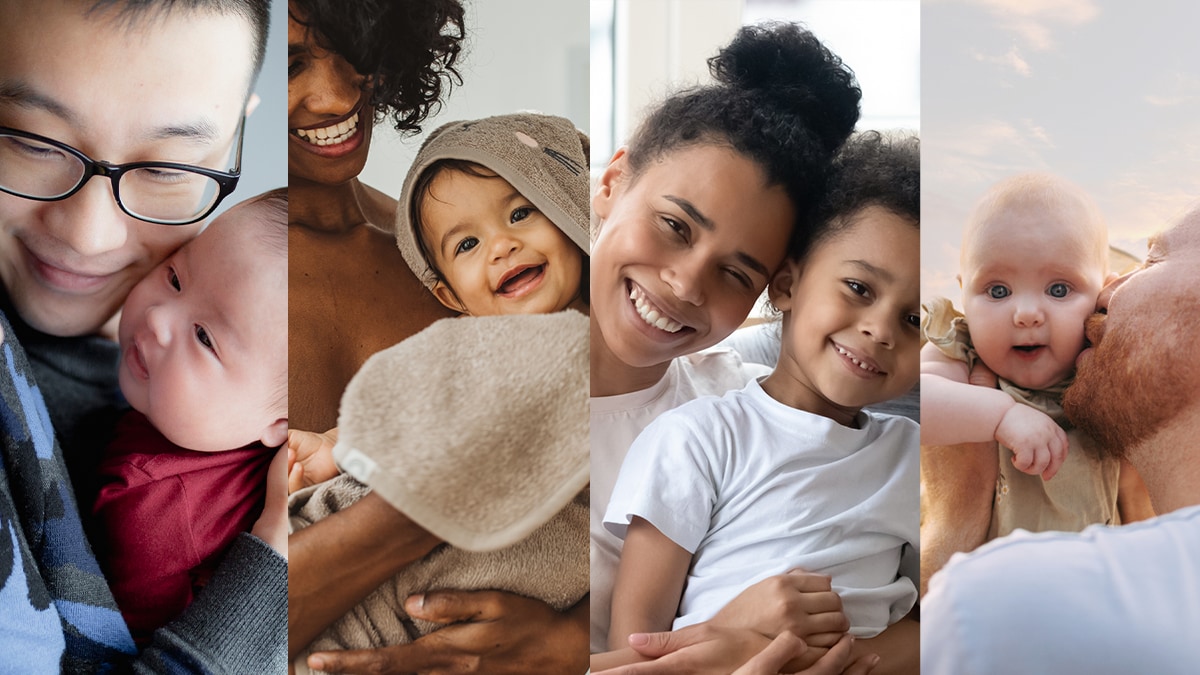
{"points": [[1034, 261]]}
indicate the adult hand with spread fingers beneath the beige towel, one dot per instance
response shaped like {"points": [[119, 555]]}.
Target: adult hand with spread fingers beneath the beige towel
{"points": [[489, 632]]}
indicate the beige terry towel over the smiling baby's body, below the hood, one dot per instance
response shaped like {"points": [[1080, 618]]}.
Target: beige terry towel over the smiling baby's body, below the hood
{"points": [[477, 429]]}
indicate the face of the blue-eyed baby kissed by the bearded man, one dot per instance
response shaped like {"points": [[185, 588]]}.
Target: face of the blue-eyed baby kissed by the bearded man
{"points": [[1030, 279]]}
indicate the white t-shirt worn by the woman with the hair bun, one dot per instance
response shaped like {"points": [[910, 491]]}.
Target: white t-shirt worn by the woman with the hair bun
{"points": [[616, 422]]}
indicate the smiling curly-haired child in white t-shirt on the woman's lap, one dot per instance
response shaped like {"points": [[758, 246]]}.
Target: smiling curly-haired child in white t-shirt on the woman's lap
{"points": [[791, 473]]}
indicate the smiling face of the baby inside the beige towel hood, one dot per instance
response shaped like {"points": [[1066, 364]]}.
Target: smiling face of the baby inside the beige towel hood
{"points": [[497, 253]]}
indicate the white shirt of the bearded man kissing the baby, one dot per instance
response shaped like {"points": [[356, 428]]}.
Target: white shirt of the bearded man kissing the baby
{"points": [[1105, 601]]}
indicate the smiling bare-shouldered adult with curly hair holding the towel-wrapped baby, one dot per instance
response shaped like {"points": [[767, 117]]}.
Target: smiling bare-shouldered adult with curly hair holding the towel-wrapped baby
{"points": [[353, 64]]}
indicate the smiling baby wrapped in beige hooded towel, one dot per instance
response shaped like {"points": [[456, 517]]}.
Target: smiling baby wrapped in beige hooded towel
{"points": [[494, 219]]}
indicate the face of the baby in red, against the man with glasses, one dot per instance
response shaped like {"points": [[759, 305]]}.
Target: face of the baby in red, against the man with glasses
{"points": [[205, 339]]}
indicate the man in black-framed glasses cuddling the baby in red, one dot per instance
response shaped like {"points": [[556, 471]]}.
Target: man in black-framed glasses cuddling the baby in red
{"points": [[121, 128]]}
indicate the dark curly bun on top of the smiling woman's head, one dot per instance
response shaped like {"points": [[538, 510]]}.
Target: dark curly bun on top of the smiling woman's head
{"points": [[787, 67]]}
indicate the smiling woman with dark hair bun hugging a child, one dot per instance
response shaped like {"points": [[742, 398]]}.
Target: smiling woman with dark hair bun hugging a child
{"points": [[695, 217]]}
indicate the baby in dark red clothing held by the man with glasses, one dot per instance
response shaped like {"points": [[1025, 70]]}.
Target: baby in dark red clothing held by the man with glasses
{"points": [[205, 367]]}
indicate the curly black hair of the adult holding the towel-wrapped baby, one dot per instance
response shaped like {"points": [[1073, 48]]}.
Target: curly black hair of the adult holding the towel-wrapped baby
{"points": [[406, 49]]}
